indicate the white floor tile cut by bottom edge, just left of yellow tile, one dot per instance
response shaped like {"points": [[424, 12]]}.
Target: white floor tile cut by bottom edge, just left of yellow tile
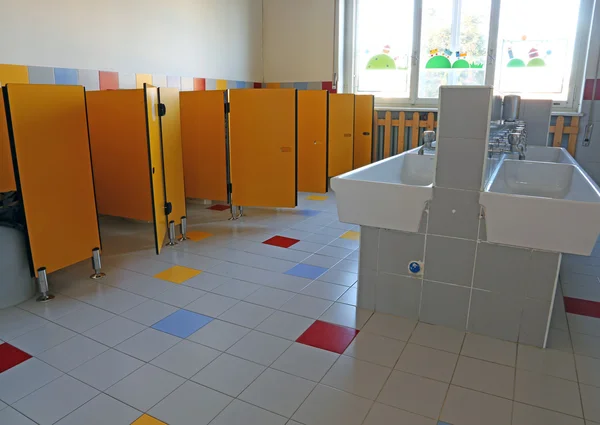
{"points": [[101, 410]]}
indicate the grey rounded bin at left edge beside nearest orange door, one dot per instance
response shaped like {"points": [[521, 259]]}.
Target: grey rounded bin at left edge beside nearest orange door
{"points": [[16, 283]]}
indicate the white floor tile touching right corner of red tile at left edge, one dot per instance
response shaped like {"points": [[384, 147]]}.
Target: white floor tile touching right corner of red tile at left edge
{"points": [[72, 353]]}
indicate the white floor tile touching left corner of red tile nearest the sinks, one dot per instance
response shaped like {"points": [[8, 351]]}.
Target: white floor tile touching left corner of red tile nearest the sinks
{"points": [[259, 347]]}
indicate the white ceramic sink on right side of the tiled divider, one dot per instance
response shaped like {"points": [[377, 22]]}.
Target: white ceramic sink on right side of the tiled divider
{"points": [[542, 205]]}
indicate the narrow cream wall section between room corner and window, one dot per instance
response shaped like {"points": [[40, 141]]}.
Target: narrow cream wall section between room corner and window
{"points": [[298, 38]]}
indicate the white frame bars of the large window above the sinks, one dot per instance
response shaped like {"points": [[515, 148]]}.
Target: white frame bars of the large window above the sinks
{"points": [[349, 75]]}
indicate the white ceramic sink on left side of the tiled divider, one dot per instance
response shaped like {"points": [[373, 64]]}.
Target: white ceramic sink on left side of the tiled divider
{"points": [[389, 194]]}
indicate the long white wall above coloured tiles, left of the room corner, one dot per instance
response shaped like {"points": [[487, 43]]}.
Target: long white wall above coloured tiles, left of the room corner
{"points": [[195, 38]]}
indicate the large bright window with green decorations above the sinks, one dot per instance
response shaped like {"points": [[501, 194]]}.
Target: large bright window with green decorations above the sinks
{"points": [[405, 49]]}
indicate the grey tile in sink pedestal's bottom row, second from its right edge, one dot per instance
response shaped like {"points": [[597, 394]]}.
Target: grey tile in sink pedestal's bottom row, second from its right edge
{"points": [[494, 315]]}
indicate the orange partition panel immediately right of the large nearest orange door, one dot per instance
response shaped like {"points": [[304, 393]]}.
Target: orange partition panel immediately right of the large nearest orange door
{"points": [[117, 121]]}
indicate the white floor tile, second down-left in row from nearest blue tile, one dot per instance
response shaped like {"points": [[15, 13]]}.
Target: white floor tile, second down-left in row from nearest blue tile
{"points": [[106, 370]]}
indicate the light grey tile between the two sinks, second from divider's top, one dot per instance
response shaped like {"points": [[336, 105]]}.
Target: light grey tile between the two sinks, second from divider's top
{"points": [[460, 163]]}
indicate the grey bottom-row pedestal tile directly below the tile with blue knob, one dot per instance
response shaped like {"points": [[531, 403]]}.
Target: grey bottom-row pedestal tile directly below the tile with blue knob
{"points": [[398, 295]]}
